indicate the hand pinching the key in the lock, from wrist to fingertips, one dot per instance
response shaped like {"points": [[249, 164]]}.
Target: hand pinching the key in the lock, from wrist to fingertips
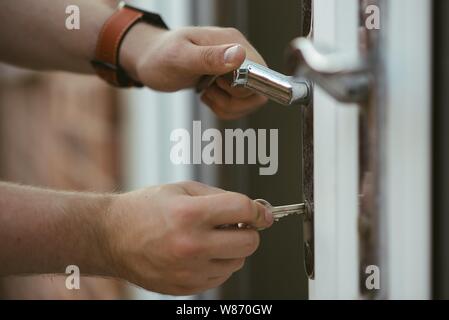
{"points": [[168, 239]]}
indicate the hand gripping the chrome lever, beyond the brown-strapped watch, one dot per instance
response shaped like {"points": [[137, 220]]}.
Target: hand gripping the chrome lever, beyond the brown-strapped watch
{"points": [[173, 60]]}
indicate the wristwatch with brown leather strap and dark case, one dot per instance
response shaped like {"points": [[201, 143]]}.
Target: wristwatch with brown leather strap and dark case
{"points": [[106, 62]]}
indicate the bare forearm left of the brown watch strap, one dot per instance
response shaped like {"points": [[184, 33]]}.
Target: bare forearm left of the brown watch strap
{"points": [[34, 34]]}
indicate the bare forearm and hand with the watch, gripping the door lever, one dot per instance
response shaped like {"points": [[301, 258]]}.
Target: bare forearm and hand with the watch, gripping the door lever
{"points": [[35, 36]]}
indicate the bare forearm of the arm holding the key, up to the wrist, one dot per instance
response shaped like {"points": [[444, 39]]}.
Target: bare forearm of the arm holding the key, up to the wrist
{"points": [[43, 231]]}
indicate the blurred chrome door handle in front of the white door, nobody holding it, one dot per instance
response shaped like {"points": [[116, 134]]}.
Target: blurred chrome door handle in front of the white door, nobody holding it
{"points": [[346, 78]]}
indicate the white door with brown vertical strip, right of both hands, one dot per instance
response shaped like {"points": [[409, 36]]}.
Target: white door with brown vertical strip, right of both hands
{"points": [[372, 158]]}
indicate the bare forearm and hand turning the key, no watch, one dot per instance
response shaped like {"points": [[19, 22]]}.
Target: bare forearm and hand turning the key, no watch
{"points": [[166, 239]]}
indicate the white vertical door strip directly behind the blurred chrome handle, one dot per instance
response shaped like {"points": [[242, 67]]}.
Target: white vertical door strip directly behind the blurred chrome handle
{"points": [[336, 165]]}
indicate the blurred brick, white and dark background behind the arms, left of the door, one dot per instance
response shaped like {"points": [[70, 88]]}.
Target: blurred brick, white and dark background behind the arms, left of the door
{"points": [[74, 132]]}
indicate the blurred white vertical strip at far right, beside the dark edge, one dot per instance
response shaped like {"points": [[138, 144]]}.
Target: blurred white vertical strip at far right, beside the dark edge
{"points": [[408, 209]]}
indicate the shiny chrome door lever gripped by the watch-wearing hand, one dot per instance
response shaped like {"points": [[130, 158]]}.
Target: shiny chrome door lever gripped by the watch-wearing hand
{"points": [[274, 85]]}
